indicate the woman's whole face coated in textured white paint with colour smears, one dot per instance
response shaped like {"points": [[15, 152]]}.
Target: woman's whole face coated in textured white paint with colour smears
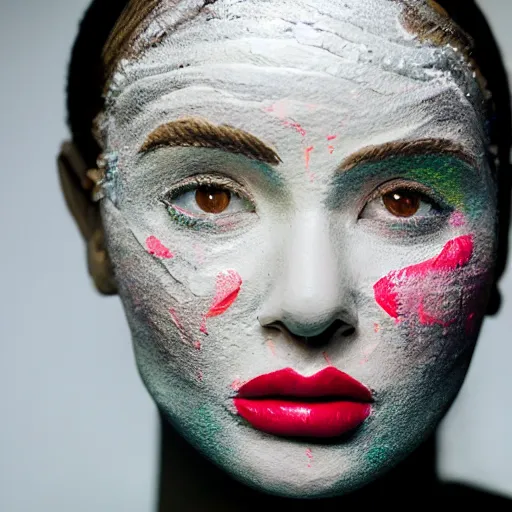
{"points": [[379, 267]]}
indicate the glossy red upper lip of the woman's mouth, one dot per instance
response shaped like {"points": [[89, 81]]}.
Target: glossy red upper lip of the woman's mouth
{"points": [[329, 382]]}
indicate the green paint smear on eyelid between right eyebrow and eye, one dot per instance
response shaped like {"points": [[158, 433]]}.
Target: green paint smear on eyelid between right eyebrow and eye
{"points": [[454, 183]]}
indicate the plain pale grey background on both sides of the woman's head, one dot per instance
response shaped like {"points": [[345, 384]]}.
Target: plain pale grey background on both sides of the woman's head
{"points": [[78, 430]]}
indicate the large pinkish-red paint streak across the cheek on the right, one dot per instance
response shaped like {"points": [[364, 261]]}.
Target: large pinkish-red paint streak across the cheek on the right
{"points": [[455, 254]]}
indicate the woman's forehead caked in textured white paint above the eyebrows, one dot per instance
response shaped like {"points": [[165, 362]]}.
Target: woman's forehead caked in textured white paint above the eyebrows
{"points": [[331, 67]]}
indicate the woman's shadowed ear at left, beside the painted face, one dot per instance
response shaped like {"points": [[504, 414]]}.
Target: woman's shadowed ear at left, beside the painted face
{"points": [[78, 186]]}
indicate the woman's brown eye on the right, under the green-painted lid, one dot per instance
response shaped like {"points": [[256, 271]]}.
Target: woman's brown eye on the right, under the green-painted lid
{"points": [[400, 203]]}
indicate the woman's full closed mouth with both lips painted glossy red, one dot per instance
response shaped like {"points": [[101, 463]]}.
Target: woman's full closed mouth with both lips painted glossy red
{"points": [[284, 403]]}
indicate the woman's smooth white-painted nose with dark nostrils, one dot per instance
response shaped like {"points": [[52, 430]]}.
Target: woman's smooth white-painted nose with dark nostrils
{"points": [[310, 299]]}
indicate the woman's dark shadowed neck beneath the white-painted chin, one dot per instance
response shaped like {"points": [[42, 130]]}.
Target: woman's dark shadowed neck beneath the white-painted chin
{"points": [[190, 482]]}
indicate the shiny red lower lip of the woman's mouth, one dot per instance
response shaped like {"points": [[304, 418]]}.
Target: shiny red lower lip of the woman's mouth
{"points": [[302, 419]]}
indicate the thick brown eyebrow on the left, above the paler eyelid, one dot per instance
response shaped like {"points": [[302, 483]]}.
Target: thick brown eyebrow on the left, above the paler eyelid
{"points": [[200, 133]]}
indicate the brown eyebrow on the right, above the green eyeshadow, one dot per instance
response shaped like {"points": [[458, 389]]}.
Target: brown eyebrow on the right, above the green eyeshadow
{"points": [[403, 148]]}
